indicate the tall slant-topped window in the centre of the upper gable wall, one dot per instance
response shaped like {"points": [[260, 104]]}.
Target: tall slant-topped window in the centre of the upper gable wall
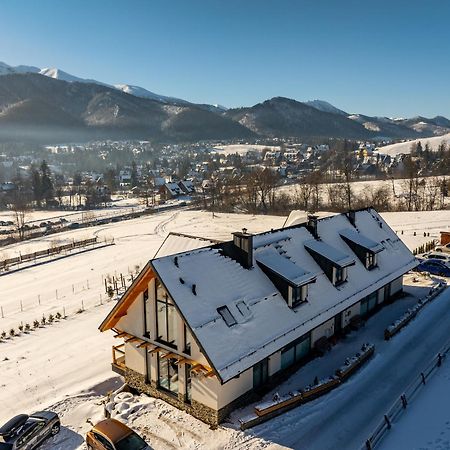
{"points": [[166, 317]]}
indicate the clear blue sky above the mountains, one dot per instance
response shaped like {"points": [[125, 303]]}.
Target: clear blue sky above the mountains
{"points": [[374, 57]]}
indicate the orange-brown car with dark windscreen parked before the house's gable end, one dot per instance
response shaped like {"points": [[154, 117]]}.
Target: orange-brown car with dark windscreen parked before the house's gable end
{"points": [[110, 434]]}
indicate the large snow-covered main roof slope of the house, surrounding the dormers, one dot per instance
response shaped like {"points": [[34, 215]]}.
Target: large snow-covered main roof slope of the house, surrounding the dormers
{"points": [[264, 321]]}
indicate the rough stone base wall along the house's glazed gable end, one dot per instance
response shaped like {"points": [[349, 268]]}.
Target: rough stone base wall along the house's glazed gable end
{"points": [[137, 381]]}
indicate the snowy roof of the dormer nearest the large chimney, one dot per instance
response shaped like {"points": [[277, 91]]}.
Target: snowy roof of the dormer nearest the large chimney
{"points": [[283, 266]]}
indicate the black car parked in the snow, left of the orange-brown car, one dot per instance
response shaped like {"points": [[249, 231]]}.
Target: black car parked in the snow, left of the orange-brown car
{"points": [[25, 432]]}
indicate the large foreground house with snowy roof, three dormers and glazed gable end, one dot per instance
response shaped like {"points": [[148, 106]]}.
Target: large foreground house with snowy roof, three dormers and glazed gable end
{"points": [[207, 326]]}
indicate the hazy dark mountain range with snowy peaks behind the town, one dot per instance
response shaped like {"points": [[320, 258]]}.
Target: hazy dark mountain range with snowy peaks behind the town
{"points": [[52, 105]]}
